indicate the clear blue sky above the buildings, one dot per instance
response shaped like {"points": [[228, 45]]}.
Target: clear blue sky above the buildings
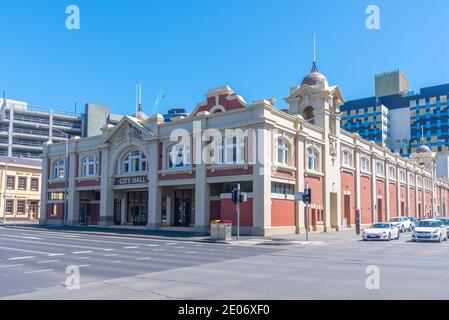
{"points": [[260, 48]]}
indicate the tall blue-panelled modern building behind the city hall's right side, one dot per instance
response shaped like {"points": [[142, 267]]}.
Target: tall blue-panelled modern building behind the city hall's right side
{"points": [[401, 119]]}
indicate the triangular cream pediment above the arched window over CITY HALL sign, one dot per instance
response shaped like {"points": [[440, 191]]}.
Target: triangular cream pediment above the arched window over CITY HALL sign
{"points": [[127, 130]]}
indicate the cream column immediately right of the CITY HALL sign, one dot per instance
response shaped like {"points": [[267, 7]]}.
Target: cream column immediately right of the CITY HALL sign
{"points": [[155, 194]]}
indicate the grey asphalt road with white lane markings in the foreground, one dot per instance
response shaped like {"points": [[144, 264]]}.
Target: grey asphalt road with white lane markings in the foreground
{"points": [[33, 266]]}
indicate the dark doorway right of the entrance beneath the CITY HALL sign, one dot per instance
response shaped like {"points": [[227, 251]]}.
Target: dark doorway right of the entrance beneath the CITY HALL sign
{"points": [[184, 208]]}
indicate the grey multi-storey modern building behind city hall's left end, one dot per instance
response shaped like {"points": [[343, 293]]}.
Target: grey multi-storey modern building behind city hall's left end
{"points": [[24, 128]]}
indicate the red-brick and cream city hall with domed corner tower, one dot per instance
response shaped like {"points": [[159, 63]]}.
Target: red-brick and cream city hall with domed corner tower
{"points": [[136, 174]]}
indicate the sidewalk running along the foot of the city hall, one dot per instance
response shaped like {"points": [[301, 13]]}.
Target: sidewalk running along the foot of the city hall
{"points": [[314, 238]]}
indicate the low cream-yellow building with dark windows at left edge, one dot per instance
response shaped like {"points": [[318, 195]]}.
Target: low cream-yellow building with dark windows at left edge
{"points": [[20, 183]]}
